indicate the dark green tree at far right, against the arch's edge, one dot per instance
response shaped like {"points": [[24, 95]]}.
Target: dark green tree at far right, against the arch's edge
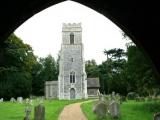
{"points": [[140, 72]]}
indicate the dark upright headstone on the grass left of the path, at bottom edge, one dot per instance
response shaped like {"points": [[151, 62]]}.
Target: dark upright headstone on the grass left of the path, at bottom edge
{"points": [[39, 112]]}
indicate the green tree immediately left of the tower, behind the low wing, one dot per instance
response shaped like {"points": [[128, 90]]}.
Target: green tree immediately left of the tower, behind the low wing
{"points": [[46, 69]]}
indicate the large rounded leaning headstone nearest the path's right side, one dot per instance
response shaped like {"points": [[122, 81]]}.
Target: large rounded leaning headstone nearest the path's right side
{"points": [[100, 109]]}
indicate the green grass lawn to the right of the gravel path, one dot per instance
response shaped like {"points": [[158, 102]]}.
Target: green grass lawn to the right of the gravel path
{"points": [[129, 110]]}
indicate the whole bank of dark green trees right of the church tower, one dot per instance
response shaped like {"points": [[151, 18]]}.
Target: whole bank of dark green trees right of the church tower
{"points": [[125, 72]]}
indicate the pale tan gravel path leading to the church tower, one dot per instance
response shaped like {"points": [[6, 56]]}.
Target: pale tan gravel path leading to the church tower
{"points": [[72, 112]]}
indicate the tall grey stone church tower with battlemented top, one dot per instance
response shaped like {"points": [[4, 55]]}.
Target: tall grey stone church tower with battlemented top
{"points": [[72, 83]]}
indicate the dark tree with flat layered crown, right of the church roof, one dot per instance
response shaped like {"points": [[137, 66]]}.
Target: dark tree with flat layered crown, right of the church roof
{"points": [[114, 67]]}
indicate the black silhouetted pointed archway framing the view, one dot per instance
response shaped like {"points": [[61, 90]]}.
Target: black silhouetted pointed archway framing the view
{"points": [[139, 19]]}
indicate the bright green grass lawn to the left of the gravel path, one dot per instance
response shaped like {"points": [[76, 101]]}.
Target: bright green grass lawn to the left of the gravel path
{"points": [[15, 111]]}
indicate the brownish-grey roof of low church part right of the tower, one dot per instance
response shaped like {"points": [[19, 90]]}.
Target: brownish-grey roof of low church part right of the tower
{"points": [[93, 82]]}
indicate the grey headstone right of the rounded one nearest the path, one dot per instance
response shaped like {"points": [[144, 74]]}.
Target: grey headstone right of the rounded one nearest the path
{"points": [[114, 109]]}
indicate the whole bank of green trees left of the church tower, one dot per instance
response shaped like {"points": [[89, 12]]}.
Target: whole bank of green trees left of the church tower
{"points": [[21, 72]]}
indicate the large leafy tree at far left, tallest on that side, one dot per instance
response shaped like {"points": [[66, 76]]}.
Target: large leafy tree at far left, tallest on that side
{"points": [[15, 68]]}
